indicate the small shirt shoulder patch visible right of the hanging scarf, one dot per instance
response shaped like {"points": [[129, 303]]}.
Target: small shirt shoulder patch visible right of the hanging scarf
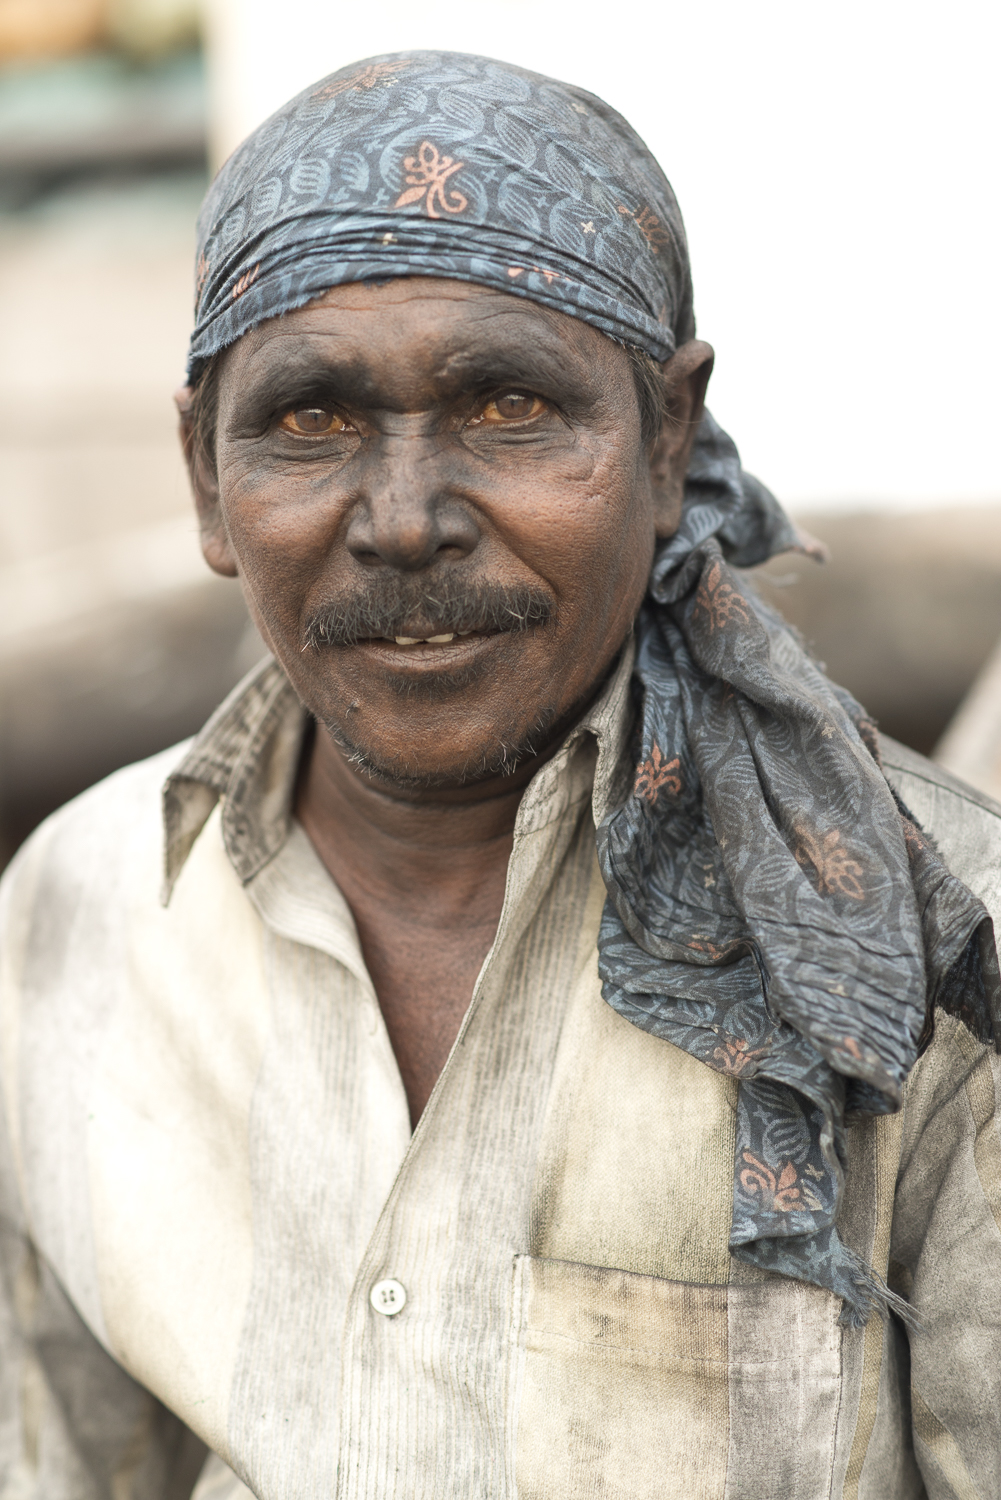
{"points": [[964, 823]]}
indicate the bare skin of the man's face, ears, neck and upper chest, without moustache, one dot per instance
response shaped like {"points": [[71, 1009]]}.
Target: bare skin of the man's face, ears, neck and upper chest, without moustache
{"points": [[428, 430]]}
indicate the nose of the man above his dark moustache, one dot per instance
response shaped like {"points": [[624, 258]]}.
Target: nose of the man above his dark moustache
{"points": [[410, 506]]}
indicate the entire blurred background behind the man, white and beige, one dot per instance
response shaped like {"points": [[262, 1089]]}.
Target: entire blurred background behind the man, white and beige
{"points": [[838, 175]]}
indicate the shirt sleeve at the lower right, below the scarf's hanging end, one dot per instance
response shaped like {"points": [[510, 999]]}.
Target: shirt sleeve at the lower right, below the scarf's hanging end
{"points": [[946, 1258]]}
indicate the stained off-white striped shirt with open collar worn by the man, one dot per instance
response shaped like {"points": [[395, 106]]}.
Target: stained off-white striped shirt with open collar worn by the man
{"points": [[209, 1174]]}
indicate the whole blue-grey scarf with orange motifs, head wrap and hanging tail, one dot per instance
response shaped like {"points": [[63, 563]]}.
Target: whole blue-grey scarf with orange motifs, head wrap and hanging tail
{"points": [[772, 907]]}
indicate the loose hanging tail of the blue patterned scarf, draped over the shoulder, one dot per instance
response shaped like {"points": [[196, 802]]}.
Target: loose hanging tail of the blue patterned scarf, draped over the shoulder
{"points": [[774, 907]]}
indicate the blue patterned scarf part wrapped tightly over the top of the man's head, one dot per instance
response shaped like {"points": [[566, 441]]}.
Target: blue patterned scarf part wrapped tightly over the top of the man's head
{"points": [[445, 166]]}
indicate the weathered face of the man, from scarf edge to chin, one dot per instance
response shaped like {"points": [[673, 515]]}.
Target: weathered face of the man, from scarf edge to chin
{"points": [[443, 514]]}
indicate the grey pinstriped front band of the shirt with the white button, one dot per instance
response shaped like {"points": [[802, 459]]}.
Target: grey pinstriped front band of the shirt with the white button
{"points": [[436, 1279]]}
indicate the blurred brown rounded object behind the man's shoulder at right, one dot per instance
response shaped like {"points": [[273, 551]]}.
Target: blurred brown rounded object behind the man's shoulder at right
{"points": [[906, 613]]}
